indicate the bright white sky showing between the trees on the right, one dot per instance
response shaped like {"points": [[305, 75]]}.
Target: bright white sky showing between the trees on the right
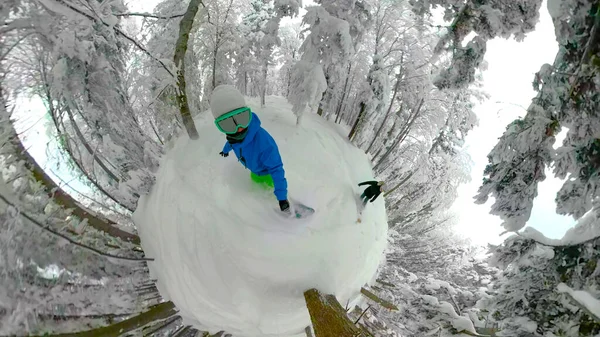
{"points": [[511, 67]]}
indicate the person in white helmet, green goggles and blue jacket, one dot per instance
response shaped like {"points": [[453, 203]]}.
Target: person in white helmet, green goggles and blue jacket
{"points": [[253, 145]]}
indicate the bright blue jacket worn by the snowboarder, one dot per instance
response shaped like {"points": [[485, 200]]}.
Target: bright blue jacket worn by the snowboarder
{"points": [[258, 152]]}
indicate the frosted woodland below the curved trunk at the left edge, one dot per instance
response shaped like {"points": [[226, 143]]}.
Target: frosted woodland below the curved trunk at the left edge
{"points": [[45, 278]]}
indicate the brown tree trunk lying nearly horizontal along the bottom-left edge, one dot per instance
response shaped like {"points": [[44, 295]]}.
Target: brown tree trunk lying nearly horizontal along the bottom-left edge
{"points": [[159, 311]]}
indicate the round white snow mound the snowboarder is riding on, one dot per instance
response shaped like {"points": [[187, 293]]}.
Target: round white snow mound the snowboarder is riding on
{"points": [[227, 259]]}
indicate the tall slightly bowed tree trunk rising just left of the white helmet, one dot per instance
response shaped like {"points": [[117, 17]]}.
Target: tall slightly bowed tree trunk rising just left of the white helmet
{"points": [[185, 26]]}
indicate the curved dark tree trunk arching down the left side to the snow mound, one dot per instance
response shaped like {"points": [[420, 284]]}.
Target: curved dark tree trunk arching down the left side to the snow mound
{"points": [[64, 199]]}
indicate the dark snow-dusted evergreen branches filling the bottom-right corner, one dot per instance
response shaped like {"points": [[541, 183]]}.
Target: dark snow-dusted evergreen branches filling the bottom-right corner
{"points": [[546, 286]]}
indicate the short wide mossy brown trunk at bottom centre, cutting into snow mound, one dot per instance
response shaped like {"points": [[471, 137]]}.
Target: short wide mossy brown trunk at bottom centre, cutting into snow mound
{"points": [[328, 317]]}
